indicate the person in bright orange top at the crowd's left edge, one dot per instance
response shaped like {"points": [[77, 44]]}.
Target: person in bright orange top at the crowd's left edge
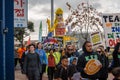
{"points": [[20, 51]]}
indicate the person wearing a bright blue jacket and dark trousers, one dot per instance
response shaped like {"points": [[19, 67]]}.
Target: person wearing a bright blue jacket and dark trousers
{"points": [[43, 58]]}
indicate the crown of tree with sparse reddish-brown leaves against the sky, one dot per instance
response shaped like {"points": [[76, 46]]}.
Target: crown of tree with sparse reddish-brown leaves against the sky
{"points": [[85, 17]]}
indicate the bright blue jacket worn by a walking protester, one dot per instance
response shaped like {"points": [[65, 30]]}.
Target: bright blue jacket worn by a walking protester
{"points": [[42, 55]]}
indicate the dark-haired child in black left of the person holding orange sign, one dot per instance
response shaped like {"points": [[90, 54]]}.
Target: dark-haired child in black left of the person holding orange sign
{"points": [[61, 73]]}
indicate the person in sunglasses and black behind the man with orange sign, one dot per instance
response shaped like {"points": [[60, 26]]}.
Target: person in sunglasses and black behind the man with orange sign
{"points": [[104, 61]]}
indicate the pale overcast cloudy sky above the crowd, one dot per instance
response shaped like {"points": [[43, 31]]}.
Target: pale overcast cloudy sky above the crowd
{"points": [[40, 10]]}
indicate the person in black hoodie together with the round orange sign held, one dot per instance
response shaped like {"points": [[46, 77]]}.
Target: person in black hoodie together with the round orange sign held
{"points": [[89, 62]]}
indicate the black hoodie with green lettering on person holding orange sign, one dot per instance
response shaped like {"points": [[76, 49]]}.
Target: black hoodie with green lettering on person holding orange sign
{"points": [[82, 61]]}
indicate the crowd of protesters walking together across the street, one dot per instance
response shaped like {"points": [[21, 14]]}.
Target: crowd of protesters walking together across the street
{"points": [[66, 63]]}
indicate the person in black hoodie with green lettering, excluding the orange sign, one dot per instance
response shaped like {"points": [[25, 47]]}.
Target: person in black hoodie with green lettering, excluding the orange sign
{"points": [[84, 58]]}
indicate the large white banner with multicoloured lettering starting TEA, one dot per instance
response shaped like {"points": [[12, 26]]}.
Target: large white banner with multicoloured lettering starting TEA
{"points": [[111, 24]]}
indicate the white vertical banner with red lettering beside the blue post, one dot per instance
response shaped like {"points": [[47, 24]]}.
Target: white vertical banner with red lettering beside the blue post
{"points": [[20, 13]]}
